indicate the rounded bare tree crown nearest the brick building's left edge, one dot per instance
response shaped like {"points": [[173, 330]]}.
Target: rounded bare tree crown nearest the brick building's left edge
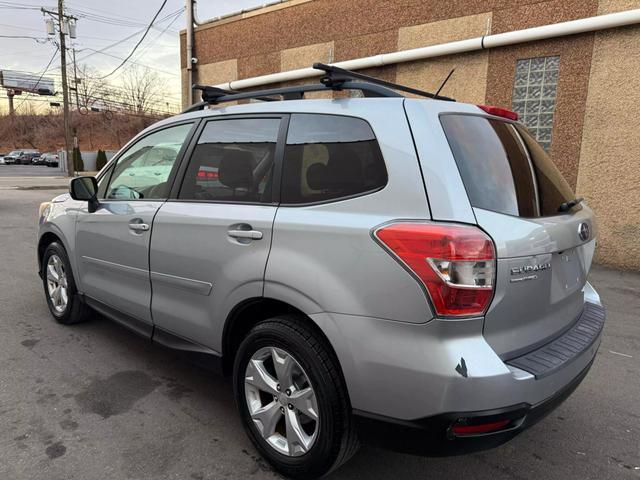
{"points": [[142, 88]]}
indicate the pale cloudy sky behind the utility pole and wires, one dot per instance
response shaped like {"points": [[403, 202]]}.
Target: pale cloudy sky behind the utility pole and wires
{"points": [[101, 24]]}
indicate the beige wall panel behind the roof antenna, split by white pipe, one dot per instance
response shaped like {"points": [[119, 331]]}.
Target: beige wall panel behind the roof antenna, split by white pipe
{"points": [[469, 81]]}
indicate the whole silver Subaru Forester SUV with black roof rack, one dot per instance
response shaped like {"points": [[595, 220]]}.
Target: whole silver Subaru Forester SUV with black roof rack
{"points": [[405, 272]]}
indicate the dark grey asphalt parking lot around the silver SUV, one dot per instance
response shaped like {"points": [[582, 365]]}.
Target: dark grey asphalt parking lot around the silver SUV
{"points": [[96, 402]]}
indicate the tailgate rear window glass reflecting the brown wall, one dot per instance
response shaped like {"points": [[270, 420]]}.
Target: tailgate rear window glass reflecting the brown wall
{"points": [[502, 166]]}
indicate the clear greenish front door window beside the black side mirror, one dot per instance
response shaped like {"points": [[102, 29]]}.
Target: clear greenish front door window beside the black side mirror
{"points": [[143, 171]]}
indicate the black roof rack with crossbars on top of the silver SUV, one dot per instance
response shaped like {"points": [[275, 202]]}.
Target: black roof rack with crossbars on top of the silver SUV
{"points": [[335, 78]]}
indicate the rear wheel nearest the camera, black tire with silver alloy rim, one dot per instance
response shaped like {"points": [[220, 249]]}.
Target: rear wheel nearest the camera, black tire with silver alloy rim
{"points": [[292, 398]]}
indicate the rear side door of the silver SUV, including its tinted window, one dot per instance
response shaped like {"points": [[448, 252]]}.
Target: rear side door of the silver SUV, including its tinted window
{"points": [[211, 241]]}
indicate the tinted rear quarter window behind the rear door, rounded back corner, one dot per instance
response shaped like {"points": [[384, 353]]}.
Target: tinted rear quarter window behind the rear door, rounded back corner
{"points": [[330, 157]]}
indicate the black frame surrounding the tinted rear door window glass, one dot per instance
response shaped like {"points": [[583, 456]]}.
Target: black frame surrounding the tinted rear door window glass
{"points": [[278, 156]]}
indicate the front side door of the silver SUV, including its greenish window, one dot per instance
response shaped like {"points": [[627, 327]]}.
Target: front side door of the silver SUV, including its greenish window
{"points": [[112, 243]]}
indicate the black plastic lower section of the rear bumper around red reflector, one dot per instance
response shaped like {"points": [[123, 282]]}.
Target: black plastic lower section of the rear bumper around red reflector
{"points": [[432, 436]]}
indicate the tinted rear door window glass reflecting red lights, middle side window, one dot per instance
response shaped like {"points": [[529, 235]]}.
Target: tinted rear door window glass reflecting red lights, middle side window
{"points": [[233, 161]]}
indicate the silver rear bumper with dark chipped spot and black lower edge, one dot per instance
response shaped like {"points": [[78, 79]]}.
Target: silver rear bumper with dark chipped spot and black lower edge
{"points": [[421, 378]]}
